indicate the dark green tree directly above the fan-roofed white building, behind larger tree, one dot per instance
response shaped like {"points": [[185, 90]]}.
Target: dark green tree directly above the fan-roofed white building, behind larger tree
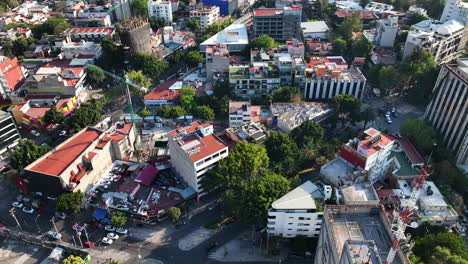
{"points": [[284, 154]]}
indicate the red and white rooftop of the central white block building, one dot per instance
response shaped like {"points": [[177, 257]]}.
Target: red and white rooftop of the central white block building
{"points": [[197, 140]]}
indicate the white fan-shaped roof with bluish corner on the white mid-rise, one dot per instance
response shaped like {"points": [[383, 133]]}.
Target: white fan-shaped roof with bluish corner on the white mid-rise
{"points": [[302, 197]]}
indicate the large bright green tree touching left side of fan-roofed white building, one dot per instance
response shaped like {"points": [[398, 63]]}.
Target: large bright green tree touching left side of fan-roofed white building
{"points": [[257, 197]]}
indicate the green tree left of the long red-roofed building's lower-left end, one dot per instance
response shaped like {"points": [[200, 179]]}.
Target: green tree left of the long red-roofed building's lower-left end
{"points": [[25, 153]]}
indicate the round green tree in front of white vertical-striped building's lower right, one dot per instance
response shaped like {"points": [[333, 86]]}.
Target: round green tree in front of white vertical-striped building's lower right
{"points": [[346, 108]]}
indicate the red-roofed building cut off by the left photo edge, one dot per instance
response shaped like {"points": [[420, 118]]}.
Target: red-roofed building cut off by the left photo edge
{"points": [[12, 76]]}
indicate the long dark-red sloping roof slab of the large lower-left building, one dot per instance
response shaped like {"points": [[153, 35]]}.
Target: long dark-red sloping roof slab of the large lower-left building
{"points": [[56, 161]]}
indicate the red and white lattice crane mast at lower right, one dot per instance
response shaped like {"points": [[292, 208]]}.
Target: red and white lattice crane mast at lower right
{"points": [[402, 219]]}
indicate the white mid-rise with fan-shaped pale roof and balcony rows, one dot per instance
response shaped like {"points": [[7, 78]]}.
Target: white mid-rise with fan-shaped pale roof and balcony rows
{"points": [[297, 213]]}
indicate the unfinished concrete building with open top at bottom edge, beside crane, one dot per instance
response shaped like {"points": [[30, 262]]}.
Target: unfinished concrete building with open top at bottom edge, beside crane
{"points": [[353, 234]]}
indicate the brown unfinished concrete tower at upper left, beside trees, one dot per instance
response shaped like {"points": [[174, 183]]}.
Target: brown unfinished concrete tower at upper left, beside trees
{"points": [[136, 34]]}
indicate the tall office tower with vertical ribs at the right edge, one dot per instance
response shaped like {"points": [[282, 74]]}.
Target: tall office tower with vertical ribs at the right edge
{"points": [[448, 110]]}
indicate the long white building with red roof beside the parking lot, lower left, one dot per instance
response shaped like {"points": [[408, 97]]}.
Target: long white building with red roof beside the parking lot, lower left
{"points": [[77, 163]]}
